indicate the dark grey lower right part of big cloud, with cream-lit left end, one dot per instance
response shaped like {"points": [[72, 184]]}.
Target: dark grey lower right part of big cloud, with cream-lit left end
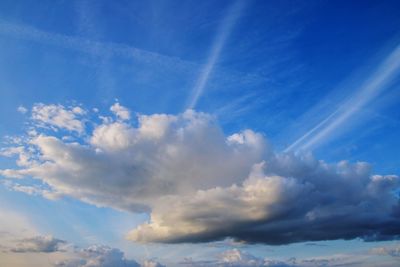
{"points": [[284, 200]]}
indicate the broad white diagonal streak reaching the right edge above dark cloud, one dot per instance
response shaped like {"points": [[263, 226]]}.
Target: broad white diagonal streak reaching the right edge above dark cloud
{"points": [[369, 90]]}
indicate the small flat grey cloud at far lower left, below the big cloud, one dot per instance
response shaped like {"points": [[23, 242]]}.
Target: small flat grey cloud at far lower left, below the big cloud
{"points": [[45, 244]]}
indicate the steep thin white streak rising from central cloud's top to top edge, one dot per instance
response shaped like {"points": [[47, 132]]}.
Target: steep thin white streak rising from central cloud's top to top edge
{"points": [[222, 35]]}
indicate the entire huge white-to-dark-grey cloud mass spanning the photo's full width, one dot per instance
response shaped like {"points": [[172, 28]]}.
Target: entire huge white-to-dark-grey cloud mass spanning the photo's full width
{"points": [[199, 184]]}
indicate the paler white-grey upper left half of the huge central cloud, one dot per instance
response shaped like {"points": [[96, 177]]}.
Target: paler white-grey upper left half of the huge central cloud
{"points": [[130, 168]]}
